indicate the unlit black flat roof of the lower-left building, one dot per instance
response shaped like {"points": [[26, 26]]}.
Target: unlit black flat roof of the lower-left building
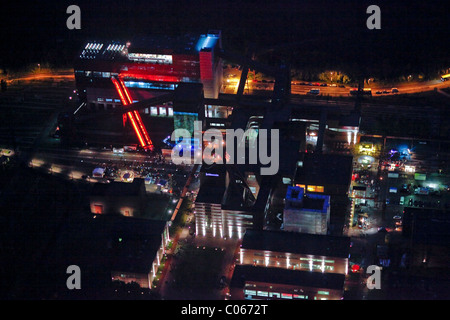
{"points": [[109, 242]]}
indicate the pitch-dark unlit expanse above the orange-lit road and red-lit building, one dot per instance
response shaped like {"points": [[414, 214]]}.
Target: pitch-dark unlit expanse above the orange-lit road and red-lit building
{"points": [[413, 32]]}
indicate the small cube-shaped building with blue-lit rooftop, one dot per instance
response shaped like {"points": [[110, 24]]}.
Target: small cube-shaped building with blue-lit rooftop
{"points": [[307, 213]]}
